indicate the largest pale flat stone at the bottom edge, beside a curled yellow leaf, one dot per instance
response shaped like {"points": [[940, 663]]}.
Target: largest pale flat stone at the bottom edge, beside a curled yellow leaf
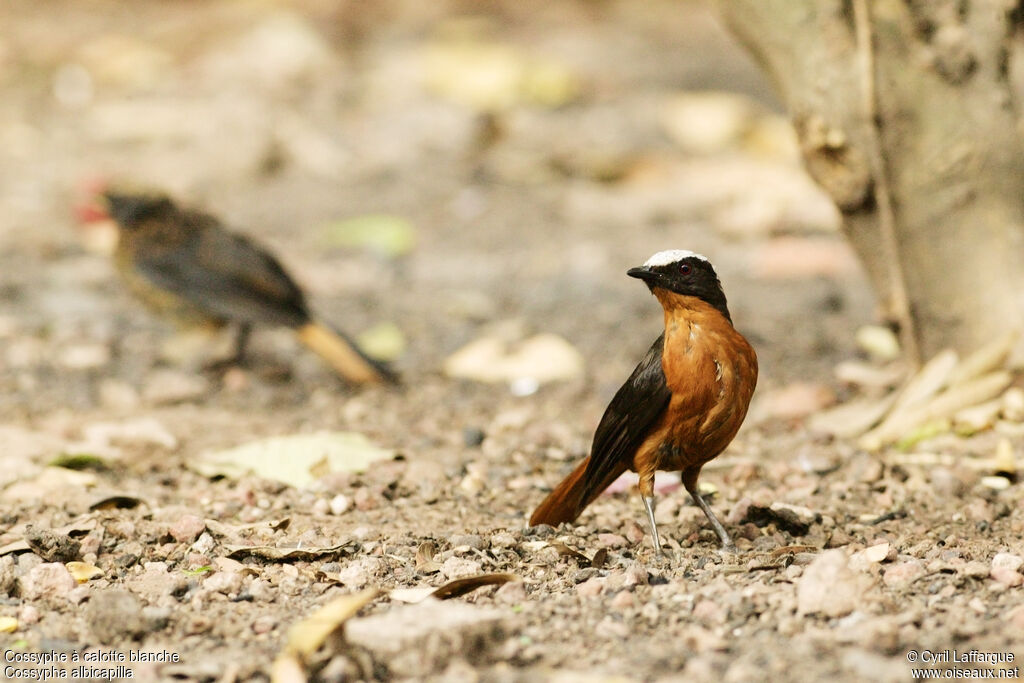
{"points": [[418, 641]]}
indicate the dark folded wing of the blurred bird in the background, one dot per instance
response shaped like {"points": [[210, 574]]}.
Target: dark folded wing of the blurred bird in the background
{"points": [[224, 274]]}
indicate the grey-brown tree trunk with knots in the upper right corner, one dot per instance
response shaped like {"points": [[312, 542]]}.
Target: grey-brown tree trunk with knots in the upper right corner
{"points": [[907, 117]]}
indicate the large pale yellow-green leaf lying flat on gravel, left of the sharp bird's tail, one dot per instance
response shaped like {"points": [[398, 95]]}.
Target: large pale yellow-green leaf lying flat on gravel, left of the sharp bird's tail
{"points": [[297, 460]]}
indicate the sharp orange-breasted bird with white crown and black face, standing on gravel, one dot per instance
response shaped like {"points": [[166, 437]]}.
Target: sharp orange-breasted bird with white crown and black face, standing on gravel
{"points": [[681, 407]]}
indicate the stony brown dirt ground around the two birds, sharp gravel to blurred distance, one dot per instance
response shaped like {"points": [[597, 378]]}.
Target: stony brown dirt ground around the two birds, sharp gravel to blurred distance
{"points": [[529, 205]]}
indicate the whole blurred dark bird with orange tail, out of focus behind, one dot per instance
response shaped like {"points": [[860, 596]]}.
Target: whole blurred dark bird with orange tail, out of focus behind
{"points": [[185, 266]]}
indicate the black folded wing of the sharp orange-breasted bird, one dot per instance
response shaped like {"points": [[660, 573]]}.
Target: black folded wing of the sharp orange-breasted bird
{"points": [[627, 421]]}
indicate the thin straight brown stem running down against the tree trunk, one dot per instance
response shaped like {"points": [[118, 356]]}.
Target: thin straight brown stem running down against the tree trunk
{"points": [[883, 195]]}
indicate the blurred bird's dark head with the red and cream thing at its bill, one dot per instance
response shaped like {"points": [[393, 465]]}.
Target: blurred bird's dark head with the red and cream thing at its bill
{"points": [[107, 209]]}
